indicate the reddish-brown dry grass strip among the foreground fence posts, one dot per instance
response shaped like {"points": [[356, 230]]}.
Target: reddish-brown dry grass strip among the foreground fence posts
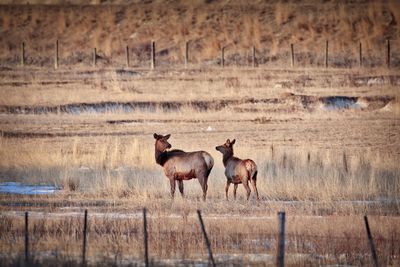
{"points": [[118, 241]]}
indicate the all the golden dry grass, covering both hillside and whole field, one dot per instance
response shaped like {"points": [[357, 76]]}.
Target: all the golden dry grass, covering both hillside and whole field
{"points": [[326, 140]]}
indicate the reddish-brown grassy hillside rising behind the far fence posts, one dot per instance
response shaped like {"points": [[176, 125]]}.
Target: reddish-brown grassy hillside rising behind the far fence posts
{"points": [[208, 25]]}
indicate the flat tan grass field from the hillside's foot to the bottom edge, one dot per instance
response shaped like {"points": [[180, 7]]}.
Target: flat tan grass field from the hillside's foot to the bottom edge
{"points": [[325, 141]]}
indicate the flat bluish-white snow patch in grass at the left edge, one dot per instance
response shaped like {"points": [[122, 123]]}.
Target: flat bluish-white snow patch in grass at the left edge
{"points": [[23, 189]]}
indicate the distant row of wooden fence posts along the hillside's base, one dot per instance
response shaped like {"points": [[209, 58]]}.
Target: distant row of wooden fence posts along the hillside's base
{"points": [[253, 63]]}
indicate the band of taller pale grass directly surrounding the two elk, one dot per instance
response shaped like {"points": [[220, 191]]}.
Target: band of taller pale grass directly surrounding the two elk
{"points": [[118, 167]]}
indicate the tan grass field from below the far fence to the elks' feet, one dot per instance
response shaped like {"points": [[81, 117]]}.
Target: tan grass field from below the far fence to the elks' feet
{"points": [[110, 153]]}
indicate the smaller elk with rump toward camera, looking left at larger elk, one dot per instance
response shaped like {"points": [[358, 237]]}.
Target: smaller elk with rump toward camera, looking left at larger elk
{"points": [[238, 171]]}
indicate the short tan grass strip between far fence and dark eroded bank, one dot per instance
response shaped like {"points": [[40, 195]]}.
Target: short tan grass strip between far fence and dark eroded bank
{"points": [[43, 87]]}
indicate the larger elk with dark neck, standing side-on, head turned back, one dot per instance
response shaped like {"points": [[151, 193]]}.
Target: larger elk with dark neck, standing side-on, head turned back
{"points": [[180, 165]]}
